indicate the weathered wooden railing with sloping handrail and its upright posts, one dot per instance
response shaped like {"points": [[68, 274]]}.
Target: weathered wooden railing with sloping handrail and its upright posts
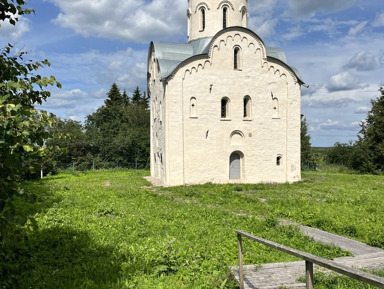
{"points": [[309, 261]]}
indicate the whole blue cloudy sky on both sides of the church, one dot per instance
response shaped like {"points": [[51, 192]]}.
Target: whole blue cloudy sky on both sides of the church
{"points": [[338, 46]]}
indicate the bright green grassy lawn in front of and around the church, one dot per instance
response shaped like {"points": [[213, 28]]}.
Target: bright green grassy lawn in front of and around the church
{"points": [[108, 229]]}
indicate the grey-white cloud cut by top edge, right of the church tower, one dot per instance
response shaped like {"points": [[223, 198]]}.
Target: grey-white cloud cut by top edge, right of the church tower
{"points": [[309, 8]]}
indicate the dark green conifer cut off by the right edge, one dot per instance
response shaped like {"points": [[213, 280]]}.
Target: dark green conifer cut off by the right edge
{"points": [[370, 144]]}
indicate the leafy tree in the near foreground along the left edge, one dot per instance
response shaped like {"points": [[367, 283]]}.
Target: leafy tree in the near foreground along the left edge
{"points": [[23, 131]]}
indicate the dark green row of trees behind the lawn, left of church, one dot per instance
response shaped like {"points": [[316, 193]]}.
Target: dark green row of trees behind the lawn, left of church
{"points": [[117, 134]]}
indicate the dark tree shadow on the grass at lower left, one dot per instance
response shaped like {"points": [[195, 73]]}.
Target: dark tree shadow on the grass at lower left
{"points": [[64, 258]]}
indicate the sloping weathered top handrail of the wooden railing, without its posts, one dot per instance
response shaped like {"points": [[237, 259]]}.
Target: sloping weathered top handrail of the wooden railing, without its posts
{"points": [[331, 265]]}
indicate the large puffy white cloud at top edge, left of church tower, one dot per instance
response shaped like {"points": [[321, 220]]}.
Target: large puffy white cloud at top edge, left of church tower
{"points": [[128, 20]]}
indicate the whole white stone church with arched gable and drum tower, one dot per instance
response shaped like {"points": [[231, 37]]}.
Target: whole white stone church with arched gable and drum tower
{"points": [[224, 107]]}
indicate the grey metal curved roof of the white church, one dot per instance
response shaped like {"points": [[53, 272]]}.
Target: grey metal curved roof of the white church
{"points": [[170, 55]]}
